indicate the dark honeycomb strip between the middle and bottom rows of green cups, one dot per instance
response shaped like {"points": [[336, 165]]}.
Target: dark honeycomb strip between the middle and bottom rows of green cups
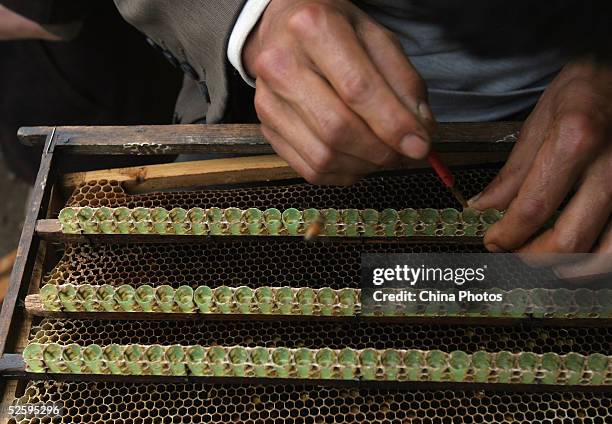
{"points": [[335, 335]]}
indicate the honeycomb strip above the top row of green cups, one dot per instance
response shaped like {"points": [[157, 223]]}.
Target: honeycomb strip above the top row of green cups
{"points": [[417, 190]]}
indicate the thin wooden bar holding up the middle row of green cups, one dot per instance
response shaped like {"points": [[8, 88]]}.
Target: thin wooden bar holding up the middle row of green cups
{"points": [[34, 307]]}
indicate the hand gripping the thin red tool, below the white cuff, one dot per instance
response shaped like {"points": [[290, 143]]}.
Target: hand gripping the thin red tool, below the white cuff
{"points": [[335, 93]]}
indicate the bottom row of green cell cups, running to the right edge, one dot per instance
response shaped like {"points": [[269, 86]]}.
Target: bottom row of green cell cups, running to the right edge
{"points": [[345, 364]]}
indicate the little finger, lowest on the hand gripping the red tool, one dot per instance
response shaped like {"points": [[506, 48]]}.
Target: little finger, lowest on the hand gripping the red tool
{"points": [[284, 150]]}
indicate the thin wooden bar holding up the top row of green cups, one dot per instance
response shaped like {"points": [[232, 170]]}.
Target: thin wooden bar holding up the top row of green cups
{"points": [[50, 230]]}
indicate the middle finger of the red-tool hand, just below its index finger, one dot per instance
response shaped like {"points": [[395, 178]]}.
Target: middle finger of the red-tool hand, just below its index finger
{"points": [[331, 120]]}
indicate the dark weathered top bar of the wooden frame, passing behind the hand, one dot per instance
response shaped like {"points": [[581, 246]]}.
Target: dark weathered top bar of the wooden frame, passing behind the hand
{"points": [[237, 138]]}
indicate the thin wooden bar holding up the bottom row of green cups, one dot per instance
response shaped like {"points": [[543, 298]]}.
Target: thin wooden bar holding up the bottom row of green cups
{"points": [[12, 366]]}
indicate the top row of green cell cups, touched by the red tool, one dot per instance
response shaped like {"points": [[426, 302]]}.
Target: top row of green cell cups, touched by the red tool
{"points": [[253, 221]]}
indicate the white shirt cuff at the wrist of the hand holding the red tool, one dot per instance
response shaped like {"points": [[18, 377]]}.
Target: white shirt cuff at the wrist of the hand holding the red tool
{"points": [[250, 14]]}
